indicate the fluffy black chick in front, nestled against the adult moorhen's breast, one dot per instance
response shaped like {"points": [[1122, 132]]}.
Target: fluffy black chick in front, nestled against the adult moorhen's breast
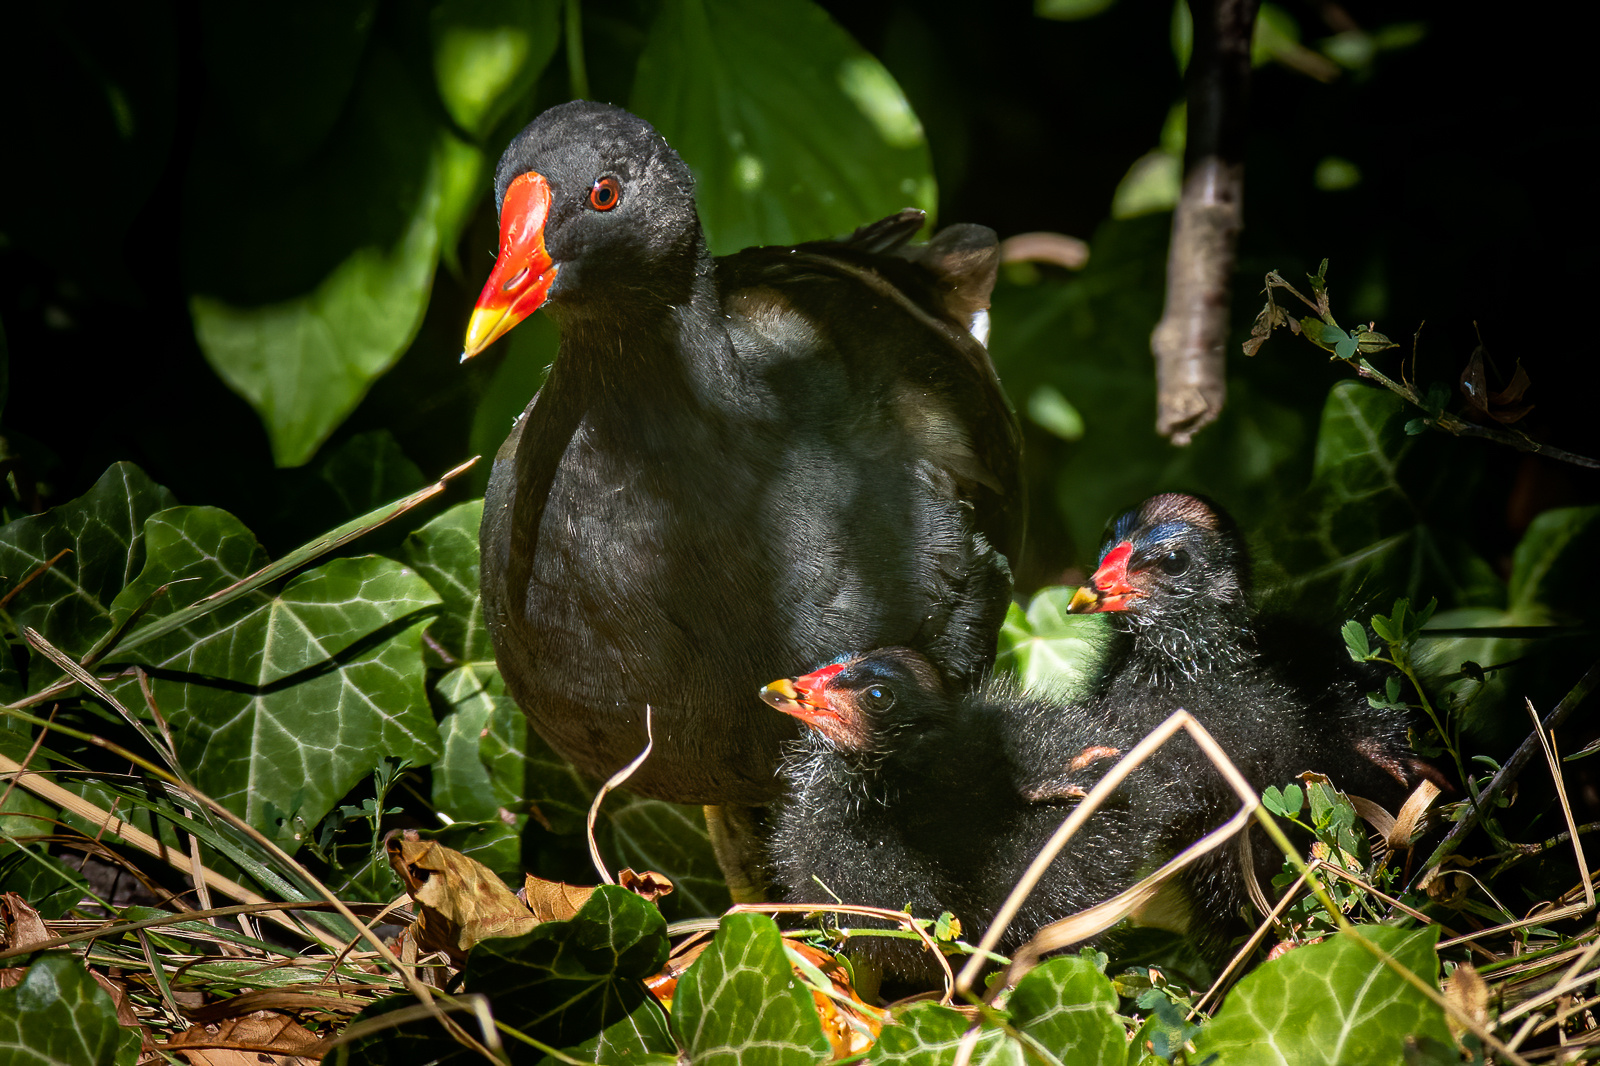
{"points": [[903, 795]]}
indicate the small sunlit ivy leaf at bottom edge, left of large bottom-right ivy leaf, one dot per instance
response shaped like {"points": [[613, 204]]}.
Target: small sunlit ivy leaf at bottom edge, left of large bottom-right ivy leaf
{"points": [[1071, 1009]]}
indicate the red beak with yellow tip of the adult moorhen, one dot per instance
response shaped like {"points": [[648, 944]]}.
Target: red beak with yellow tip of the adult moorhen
{"points": [[522, 273]]}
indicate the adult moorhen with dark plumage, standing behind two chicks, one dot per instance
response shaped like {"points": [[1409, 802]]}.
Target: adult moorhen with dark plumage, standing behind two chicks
{"points": [[737, 465]]}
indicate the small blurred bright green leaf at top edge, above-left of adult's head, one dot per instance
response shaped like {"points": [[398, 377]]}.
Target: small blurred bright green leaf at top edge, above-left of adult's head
{"points": [[489, 55]]}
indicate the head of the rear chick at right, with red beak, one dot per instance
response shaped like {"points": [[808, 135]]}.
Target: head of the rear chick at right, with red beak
{"points": [[1177, 577]]}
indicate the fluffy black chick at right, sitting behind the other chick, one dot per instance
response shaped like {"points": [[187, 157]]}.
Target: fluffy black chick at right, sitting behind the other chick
{"points": [[1175, 577]]}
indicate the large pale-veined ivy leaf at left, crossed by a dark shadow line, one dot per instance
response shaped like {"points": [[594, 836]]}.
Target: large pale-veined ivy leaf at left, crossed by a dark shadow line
{"points": [[281, 703]]}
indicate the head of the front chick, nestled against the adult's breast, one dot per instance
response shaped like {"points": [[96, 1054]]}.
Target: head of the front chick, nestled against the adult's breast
{"points": [[870, 707]]}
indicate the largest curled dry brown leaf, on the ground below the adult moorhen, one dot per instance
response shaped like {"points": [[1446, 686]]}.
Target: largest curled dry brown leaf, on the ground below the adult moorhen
{"points": [[460, 900]]}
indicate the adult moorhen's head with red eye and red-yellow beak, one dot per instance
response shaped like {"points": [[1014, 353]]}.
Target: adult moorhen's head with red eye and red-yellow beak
{"points": [[596, 210]]}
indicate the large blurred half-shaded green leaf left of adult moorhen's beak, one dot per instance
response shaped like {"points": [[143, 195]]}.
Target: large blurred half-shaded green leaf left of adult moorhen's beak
{"points": [[302, 327]]}
